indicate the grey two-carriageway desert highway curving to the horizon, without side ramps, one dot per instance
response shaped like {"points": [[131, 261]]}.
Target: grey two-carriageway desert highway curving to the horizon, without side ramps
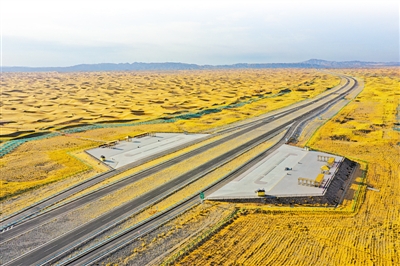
{"points": [[76, 236]]}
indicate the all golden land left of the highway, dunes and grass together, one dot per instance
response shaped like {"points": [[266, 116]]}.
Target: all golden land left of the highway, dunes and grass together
{"points": [[37, 163]]}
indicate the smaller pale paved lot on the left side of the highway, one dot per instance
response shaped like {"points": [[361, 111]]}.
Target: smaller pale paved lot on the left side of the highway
{"points": [[125, 152]]}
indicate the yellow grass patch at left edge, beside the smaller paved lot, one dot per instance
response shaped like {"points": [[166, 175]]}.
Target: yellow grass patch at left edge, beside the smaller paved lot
{"points": [[35, 164]]}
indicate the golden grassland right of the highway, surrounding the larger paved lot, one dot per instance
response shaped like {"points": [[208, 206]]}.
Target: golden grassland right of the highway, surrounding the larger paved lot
{"points": [[362, 131]]}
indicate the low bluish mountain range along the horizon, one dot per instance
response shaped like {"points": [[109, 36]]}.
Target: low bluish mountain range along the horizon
{"points": [[312, 63]]}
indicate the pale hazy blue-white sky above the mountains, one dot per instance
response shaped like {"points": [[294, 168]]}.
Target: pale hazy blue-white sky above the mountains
{"points": [[63, 33]]}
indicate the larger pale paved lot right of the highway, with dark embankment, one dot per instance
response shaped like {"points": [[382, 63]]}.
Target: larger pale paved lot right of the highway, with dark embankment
{"points": [[270, 174]]}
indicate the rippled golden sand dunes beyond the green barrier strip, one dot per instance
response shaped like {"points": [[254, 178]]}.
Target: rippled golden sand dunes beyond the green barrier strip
{"points": [[36, 101]]}
